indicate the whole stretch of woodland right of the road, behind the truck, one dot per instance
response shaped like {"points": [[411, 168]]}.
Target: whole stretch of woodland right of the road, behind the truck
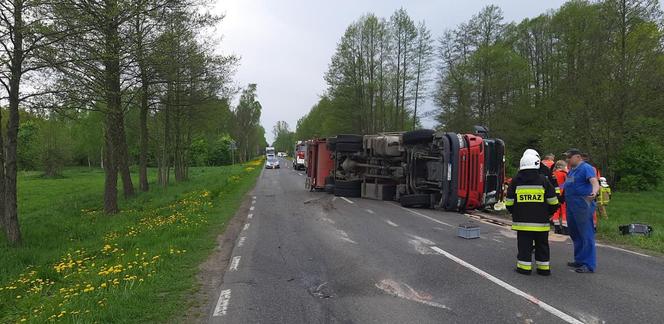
{"points": [[588, 75]]}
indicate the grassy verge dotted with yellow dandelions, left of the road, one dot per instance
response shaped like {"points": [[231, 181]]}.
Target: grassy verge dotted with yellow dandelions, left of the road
{"points": [[78, 265]]}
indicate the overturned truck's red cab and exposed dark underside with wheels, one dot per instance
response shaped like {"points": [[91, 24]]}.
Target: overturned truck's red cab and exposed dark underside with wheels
{"points": [[420, 168]]}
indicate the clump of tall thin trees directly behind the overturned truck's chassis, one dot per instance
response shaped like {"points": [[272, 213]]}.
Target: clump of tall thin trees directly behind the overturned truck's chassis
{"points": [[376, 80]]}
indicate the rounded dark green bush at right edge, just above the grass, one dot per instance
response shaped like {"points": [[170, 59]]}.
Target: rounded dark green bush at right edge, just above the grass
{"points": [[639, 165]]}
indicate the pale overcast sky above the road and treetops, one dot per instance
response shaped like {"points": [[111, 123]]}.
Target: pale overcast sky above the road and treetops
{"points": [[286, 45]]}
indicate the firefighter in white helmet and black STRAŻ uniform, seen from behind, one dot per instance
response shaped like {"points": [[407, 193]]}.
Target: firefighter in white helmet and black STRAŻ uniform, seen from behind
{"points": [[532, 200]]}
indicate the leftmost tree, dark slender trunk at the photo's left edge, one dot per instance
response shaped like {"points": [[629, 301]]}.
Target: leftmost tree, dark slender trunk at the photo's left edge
{"points": [[27, 33]]}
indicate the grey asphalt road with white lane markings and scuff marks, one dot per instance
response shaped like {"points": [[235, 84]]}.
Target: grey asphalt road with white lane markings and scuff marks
{"points": [[309, 257]]}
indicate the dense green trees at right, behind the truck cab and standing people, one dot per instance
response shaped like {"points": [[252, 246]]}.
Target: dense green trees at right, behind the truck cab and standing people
{"points": [[587, 75]]}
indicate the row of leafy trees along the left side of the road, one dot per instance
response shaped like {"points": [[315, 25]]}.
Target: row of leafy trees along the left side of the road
{"points": [[116, 83]]}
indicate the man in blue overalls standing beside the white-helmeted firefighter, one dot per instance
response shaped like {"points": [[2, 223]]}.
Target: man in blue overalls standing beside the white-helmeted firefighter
{"points": [[581, 188]]}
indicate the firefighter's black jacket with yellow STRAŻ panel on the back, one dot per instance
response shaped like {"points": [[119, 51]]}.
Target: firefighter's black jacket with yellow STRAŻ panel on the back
{"points": [[532, 200]]}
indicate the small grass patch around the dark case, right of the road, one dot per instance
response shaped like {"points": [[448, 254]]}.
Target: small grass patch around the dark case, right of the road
{"points": [[641, 207]]}
